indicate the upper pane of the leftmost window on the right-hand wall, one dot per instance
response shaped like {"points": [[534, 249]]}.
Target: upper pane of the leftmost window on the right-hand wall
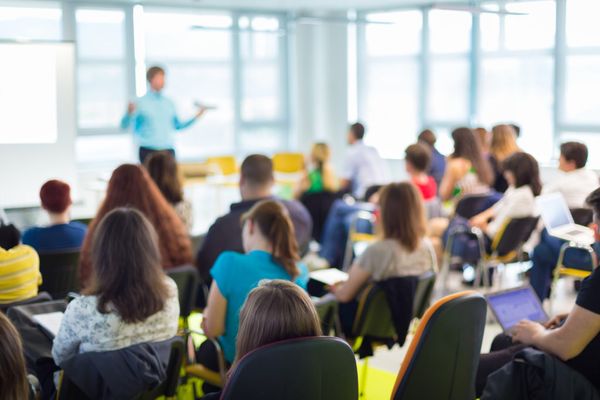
{"points": [[394, 33]]}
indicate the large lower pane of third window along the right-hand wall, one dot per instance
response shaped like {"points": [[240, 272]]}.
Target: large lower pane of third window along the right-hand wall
{"points": [[519, 90]]}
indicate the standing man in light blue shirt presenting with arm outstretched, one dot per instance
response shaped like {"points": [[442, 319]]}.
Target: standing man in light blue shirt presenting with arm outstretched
{"points": [[154, 119]]}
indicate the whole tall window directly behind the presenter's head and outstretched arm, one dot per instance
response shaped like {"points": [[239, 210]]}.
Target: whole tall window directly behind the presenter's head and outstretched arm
{"points": [[196, 51]]}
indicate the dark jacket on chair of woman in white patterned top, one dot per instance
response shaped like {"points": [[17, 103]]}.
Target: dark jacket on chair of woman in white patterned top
{"points": [[118, 374]]}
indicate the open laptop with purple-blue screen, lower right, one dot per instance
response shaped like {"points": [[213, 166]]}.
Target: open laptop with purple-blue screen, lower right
{"points": [[513, 305]]}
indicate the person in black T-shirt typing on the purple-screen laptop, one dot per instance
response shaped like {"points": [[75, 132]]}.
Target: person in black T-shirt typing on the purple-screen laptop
{"points": [[574, 338]]}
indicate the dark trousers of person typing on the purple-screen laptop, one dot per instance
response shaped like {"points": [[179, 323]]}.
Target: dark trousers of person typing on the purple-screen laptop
{"points": [[501, 353]]}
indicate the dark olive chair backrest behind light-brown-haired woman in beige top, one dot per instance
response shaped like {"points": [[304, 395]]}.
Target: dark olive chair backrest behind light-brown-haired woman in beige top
{"points": [[373, 317]]}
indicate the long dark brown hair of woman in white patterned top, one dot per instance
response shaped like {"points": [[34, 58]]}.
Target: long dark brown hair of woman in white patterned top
{"points": [[127, 266]]}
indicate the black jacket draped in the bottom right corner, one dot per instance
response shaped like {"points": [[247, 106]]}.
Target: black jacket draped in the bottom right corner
{"points": [[534, 375]]}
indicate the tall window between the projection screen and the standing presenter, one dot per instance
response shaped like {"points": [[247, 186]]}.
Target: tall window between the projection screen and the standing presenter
{"points": [[102, 75]]}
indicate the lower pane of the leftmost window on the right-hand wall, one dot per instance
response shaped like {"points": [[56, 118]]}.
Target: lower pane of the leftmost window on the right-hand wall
{"points": [[391, 107]]}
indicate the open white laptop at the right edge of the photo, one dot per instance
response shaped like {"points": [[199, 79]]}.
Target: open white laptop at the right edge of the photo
{"points": [[559, 221]]}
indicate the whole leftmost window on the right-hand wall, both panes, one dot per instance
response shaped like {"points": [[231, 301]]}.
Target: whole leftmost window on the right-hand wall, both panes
{"points": [[391, 79]]}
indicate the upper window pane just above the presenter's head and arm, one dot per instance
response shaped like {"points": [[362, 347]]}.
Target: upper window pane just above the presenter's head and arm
{"points": [[173, 36]]}
